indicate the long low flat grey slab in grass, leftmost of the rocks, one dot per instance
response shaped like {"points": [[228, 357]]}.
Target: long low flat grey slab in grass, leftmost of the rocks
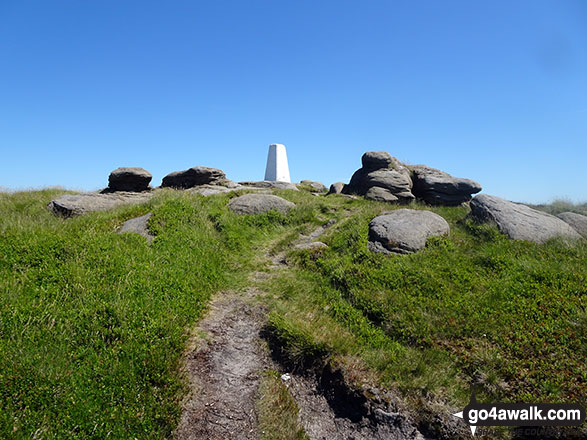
{"points": [[70, 205]]}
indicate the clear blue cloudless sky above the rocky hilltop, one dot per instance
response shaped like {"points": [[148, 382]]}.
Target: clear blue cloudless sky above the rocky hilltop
{"points": [[491, 90]]}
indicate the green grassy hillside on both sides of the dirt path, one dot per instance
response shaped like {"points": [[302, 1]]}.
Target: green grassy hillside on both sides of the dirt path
{"points": [[92, 323]]}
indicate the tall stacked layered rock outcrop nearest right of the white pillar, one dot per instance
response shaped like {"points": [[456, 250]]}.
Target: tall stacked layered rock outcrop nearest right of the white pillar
{"points": [[383, 171]]}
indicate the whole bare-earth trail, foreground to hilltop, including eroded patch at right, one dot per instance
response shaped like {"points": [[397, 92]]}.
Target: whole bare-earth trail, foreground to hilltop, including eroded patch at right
{"points": [[225, 370]]}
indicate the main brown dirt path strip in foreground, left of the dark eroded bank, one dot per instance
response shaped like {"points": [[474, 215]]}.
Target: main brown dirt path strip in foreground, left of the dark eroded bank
{"points": [[224, 371]]}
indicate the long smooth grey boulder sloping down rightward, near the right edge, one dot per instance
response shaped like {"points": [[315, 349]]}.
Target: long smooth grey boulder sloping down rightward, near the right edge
{"points": [[520, 222]]}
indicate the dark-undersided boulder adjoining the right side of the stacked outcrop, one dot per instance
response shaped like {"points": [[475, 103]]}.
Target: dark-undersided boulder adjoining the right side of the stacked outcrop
{"points": [[439, 188]]}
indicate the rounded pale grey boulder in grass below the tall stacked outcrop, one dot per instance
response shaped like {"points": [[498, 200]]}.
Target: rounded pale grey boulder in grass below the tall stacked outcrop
{"points": [[404, 231]]}
